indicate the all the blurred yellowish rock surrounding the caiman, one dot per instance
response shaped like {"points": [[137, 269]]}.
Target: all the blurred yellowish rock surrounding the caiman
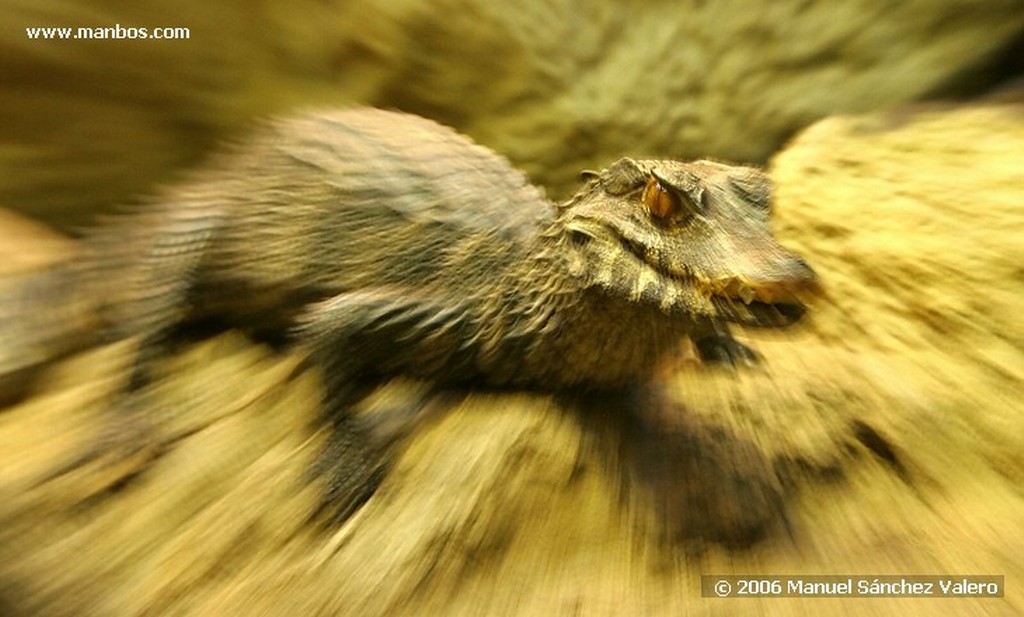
{"points": [[884, 436]]}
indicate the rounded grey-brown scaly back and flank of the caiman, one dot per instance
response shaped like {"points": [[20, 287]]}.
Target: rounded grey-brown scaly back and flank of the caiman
{"points": [[314, 205]]}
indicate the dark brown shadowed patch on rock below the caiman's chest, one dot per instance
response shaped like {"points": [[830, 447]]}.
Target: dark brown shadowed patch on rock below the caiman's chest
{"points": [[706, 484]]}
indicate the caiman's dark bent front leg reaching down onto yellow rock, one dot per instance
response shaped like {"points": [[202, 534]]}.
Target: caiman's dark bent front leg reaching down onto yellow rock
{"points": [[357, 339]]}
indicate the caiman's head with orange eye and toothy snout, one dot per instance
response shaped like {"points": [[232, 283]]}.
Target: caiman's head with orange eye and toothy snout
{"points": [[691, 238]]}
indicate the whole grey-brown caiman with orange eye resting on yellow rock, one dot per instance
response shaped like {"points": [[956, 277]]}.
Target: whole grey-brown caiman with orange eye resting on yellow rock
{"points": [[388, 244]]}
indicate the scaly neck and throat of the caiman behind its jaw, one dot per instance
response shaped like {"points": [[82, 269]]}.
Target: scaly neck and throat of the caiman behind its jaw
{"points": [[552, 328]]}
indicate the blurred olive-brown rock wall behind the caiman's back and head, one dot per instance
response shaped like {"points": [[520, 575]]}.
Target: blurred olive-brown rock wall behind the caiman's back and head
{"points": [[557, 85]]}
